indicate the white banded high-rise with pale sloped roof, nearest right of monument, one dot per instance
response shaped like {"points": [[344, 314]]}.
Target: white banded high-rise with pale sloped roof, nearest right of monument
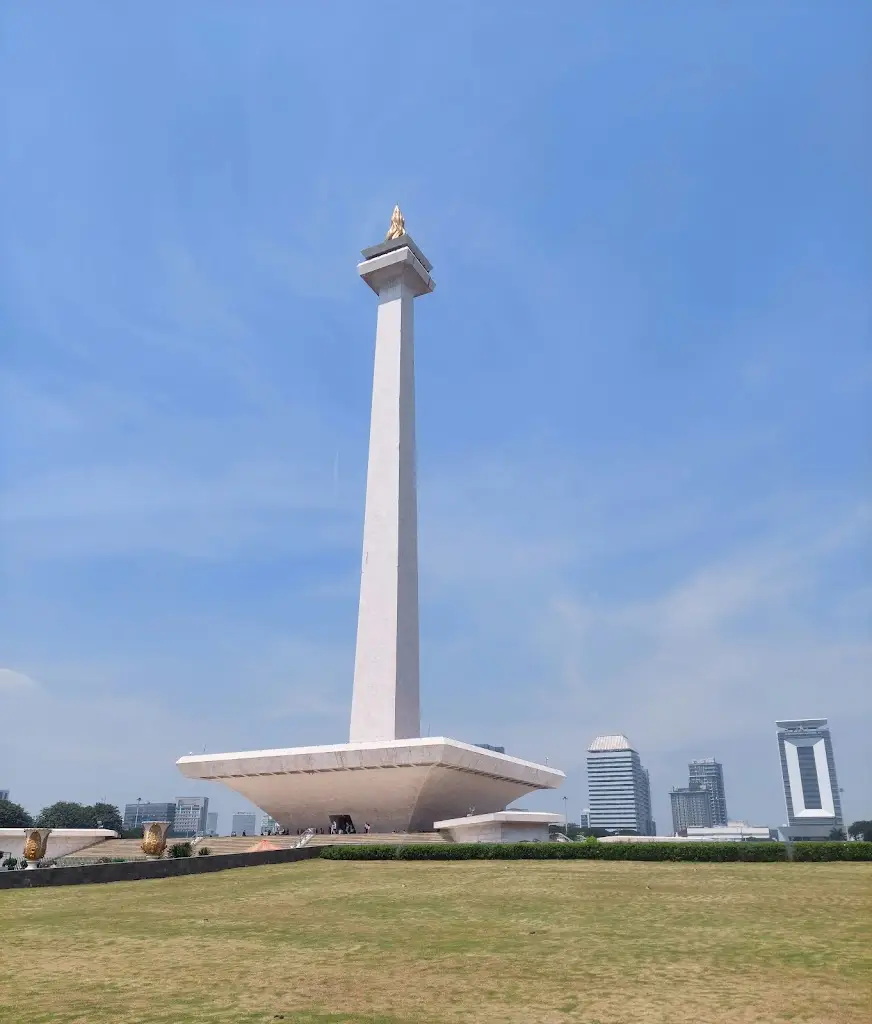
{"points": [[619, 788]]}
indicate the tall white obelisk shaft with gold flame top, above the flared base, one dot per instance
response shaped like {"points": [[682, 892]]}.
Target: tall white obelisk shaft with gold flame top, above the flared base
{"points": [[386, 700]]}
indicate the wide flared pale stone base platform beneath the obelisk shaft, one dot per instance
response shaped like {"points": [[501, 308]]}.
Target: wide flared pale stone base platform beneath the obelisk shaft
{"points": [[397, 786]]}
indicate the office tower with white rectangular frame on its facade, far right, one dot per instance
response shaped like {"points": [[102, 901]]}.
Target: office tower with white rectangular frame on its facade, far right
{"points": [[808, 772]]}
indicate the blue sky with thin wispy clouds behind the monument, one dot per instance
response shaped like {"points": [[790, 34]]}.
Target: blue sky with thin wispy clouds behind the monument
{"points": [[644, 380]]}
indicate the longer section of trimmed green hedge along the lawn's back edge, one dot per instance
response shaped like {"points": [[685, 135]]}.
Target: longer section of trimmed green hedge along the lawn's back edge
{"points": [[566, 851]]}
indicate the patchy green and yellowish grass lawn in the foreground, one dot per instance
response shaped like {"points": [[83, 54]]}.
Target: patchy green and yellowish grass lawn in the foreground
{"points": [[501, 943]]}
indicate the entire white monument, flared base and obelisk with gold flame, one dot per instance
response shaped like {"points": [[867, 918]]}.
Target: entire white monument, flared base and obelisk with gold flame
{"points": [[387, 775]]}
